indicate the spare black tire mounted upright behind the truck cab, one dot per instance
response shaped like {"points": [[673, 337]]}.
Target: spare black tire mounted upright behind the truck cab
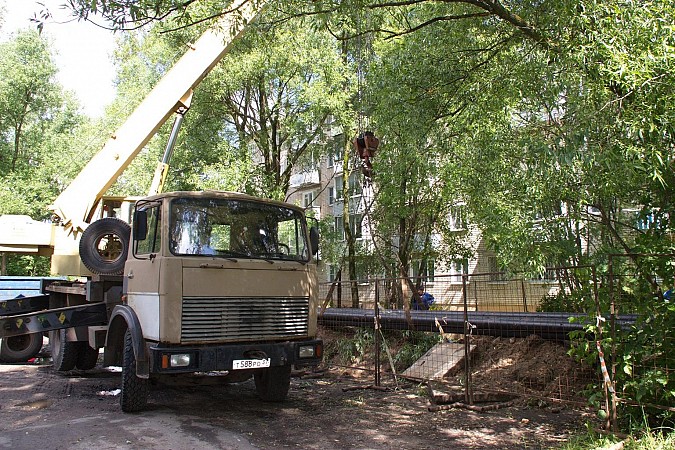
{"points": [[104, 246]]}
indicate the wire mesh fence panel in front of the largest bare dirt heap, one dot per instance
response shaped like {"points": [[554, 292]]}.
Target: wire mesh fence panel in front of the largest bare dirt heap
{"points": [[520, 343]]}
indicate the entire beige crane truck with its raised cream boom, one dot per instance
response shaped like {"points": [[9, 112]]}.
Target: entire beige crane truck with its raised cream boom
{"points": [[174, 283]]}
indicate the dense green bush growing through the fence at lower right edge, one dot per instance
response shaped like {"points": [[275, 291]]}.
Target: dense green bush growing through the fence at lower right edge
{"points": [[638, 356]]}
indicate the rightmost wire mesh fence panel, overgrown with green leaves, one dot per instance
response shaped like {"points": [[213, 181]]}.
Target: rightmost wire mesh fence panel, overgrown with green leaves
{"points": [[640, 362]]}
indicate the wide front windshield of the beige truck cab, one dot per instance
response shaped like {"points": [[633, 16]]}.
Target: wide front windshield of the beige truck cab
{"points": [[236, 229]]}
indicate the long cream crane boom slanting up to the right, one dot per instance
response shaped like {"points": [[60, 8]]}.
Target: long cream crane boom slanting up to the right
{"points": [[74, 205]]}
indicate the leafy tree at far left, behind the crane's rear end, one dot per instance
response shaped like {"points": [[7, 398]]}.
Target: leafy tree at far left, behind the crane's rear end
{"points": [[38, 123]]}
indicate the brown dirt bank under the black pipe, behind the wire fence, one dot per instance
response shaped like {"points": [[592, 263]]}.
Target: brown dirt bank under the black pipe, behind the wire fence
{"points": [[530, 367]]}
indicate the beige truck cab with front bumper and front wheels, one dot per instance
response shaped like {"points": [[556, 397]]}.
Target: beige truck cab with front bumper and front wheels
{"points": [[215, 282]]}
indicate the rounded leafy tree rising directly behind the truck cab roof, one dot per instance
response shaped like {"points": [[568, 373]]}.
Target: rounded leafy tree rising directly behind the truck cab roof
{"points": [[271, 97]]}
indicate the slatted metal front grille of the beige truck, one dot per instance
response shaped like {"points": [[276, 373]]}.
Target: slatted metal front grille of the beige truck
{"points": [[242, 319]]}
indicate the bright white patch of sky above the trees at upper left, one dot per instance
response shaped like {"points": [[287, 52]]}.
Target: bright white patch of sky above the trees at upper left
{"points": [[81, 50]]}
